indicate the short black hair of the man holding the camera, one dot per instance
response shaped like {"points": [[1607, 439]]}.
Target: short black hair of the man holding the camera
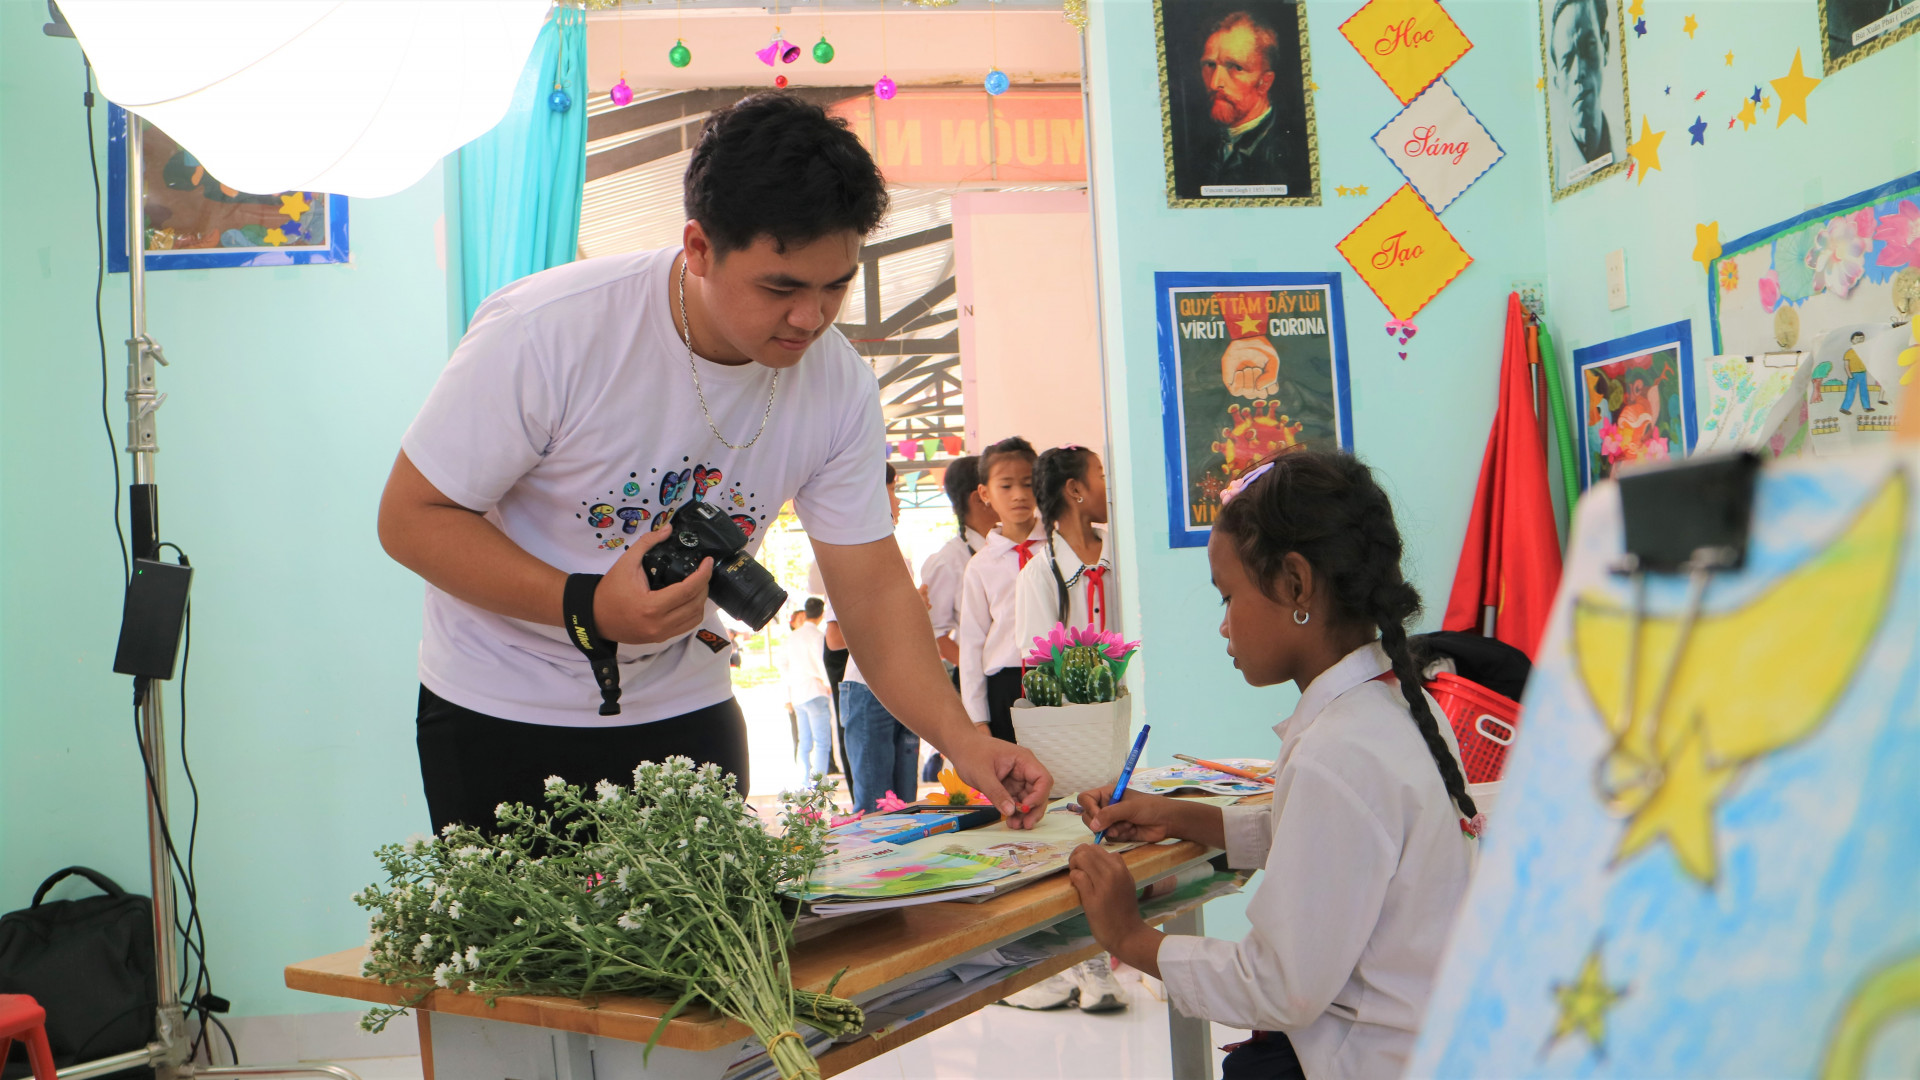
{"points": [[777, 166]]}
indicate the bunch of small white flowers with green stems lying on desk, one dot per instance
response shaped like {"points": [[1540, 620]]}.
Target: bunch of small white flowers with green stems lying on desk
{"points": [[669, 889]]}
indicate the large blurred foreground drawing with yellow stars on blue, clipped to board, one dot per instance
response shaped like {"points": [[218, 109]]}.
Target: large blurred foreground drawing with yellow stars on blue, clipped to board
{"points": [[1702, 787]]}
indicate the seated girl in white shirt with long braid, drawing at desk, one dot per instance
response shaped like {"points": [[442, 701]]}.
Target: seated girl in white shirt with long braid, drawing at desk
{"points": [[1368, 843]]}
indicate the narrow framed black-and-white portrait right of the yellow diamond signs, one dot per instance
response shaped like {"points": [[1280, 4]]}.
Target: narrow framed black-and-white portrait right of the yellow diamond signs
{"points": [[1583, 45]]}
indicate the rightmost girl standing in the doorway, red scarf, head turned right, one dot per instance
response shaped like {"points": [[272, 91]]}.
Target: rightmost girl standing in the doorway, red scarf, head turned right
{"points": [[1070, 577]]}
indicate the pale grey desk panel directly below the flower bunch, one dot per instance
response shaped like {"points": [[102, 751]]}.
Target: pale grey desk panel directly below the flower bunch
{"points": [[468, 1048]]}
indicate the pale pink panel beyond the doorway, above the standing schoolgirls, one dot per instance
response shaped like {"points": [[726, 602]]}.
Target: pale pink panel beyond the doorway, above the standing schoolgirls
{"points": [[1030, 351]]}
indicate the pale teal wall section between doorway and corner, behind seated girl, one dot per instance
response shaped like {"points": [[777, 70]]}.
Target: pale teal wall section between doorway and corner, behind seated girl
{"points": [[1422, 422]]}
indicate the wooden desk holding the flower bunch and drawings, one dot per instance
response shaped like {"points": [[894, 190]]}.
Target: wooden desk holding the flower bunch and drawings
{"points": [[564, 1039]]}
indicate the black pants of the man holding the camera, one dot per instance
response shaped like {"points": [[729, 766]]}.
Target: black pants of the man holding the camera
{"points": [[471, 762]]}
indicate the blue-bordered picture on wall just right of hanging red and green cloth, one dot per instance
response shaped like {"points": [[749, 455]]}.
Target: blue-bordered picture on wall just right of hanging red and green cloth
{"points": [[1635, 399]]}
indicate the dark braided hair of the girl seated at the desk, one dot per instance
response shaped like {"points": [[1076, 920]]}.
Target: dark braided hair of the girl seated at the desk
{"points": [[1332, 510]]}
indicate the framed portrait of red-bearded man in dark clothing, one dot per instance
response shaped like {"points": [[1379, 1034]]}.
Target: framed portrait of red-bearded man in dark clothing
{"points": [[1236, 112]]}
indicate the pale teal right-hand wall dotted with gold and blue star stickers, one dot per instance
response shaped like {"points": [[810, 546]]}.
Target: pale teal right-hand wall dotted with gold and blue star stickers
{"points": [[1863, 130]]}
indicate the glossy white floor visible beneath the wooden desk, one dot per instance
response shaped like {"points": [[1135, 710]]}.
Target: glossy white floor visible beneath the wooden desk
{"points": [[997, 1043]]}
